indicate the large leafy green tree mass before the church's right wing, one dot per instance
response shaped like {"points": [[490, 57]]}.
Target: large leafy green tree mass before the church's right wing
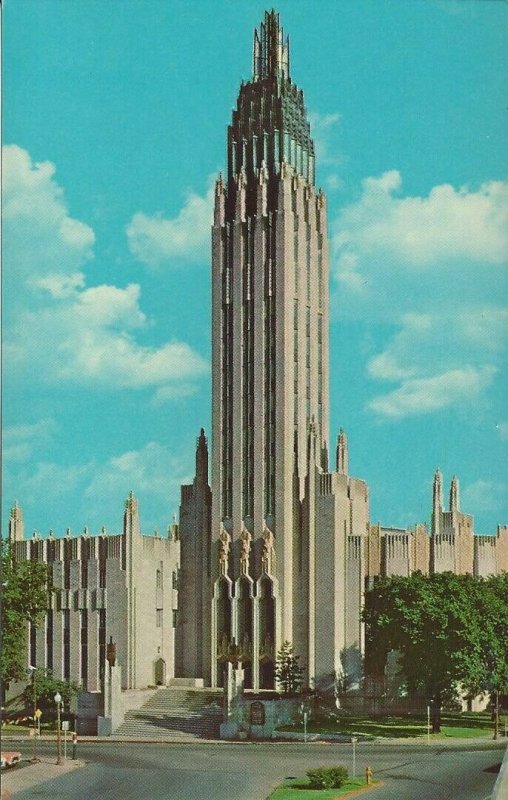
{"points": [[450, 630]]}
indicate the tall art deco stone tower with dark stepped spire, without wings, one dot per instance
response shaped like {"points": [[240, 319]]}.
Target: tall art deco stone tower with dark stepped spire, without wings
{"points": [[269, 367]]}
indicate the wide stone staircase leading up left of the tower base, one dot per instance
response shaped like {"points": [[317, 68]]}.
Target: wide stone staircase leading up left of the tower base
{"points": [[175, 714]]}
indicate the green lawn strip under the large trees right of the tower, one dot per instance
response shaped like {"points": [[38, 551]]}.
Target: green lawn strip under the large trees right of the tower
{"points": [[454, 725]]}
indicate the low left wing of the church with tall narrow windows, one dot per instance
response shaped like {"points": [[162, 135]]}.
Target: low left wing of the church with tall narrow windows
{"points": [[119, 586]]}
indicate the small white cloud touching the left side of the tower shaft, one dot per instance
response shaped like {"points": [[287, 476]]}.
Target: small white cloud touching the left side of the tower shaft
{"points": [[154, 239]]}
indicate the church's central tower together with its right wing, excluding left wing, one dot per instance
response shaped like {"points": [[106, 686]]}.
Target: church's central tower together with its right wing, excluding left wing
{"points": [[287, 549]]}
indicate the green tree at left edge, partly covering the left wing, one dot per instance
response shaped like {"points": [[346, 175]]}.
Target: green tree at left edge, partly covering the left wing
{"points": [[25, 590]]}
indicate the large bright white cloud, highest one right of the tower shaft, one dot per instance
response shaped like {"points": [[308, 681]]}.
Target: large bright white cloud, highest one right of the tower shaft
{"points": [[448, 225]]}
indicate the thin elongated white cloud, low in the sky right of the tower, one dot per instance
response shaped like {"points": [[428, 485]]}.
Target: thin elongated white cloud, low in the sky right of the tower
{"points": [[424, 395]]}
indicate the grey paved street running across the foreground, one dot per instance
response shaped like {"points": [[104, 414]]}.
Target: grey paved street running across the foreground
{"points": [[249, 771]]}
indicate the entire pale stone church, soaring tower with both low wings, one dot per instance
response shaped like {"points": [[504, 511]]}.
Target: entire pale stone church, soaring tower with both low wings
{"points": [[278, 545]]}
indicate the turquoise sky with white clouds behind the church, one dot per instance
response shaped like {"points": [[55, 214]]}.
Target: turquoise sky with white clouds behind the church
{"points": [[115, 115]]}
